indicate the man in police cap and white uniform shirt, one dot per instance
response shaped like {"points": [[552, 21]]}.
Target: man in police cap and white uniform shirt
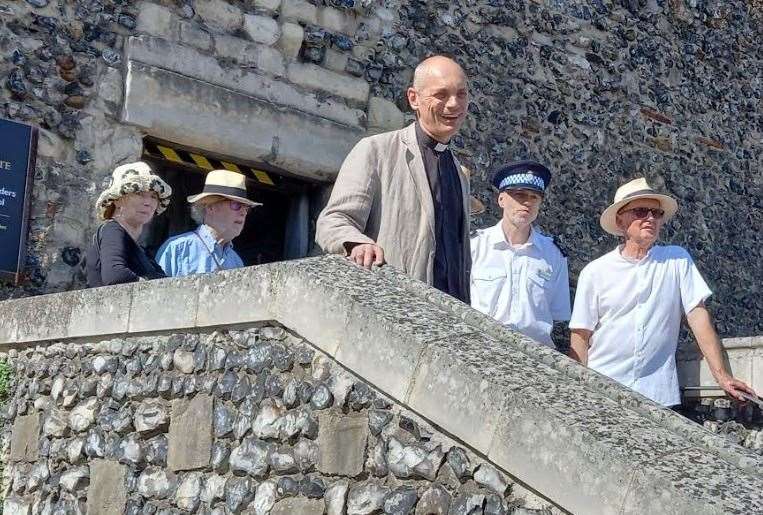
{"points": [[519, 276]]}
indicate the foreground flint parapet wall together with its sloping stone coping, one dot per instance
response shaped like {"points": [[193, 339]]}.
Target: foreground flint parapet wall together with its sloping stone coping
{"points": [[294, 368]]}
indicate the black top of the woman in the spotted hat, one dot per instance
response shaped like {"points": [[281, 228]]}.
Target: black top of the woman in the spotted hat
{"points": [[115, 258]]}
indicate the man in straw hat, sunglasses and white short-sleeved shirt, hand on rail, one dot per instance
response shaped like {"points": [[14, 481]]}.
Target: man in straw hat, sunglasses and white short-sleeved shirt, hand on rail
{"points": [[629, 302]]}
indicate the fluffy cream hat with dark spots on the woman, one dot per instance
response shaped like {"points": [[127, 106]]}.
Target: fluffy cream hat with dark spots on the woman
{"points": [[132, 178]]}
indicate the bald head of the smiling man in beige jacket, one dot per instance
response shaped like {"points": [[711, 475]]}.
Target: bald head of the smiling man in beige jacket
{"points": [[440, 96]]}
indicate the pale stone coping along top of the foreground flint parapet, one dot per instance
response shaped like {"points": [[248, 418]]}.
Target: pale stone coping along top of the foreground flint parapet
{"points": [[576, 437]]}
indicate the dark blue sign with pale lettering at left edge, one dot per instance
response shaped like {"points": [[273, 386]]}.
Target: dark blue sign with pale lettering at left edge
{"points": [[18, 150]]}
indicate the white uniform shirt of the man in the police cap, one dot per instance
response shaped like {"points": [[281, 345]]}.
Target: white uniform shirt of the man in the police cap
{"points": [[524, 287]]}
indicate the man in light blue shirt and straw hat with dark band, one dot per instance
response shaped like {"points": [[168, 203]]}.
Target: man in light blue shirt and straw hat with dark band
{"points": [[221, 208]]}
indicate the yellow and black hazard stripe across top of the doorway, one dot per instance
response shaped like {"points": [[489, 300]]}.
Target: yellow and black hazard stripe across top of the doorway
{"points": [[206, 163]]}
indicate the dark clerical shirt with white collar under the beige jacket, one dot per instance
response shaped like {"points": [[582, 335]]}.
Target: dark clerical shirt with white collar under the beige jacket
{"points": [[447, 198]]}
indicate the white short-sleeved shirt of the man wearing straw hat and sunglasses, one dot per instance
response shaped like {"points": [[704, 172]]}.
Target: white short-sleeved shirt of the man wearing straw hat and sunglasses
{"points": [[634, 310]]}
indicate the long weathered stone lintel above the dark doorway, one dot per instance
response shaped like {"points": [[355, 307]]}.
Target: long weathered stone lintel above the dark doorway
{"points": [[198, 114]]}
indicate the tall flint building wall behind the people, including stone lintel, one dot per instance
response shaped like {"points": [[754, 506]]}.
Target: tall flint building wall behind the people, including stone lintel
{"points": [[601, 90]]}
